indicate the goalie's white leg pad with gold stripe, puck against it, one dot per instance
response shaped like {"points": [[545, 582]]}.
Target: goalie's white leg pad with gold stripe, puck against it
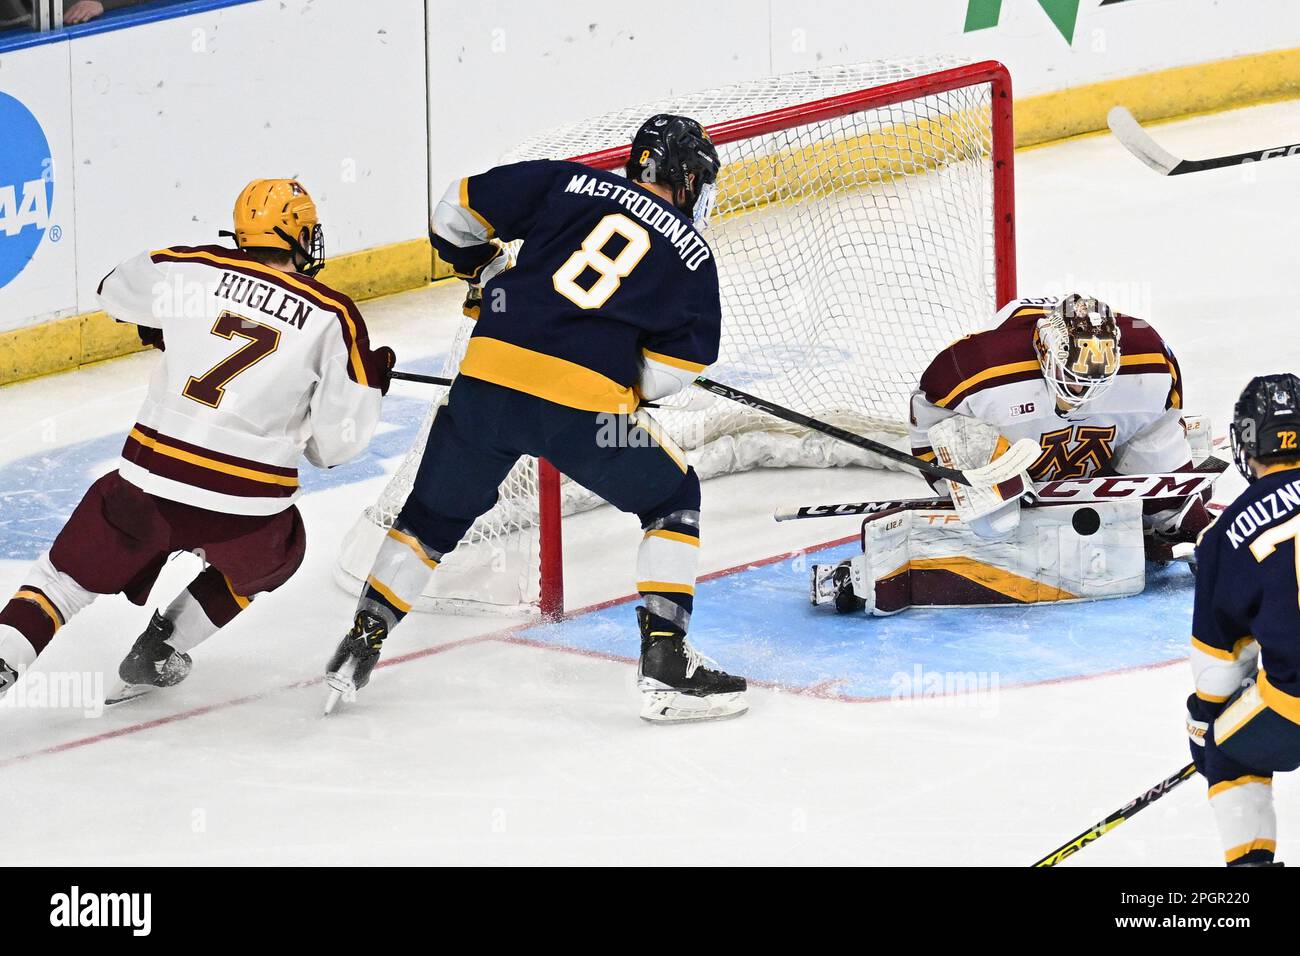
{"points": [[1059, 553]]}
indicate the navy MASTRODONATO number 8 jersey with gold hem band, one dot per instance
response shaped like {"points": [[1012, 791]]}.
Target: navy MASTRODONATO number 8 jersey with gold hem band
{"points": [[609, 275]]}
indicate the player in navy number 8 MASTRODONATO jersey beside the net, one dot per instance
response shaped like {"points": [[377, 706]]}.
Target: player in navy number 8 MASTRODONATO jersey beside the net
{"points": [[614, 301]]}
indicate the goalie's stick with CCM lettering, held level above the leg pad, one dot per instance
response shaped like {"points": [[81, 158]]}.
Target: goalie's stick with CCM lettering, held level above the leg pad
{"points": [[1063, 491]]}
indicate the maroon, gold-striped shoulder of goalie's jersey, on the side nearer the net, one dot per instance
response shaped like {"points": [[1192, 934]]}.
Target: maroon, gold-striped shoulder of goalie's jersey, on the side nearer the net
{"points": [[986, 360]]}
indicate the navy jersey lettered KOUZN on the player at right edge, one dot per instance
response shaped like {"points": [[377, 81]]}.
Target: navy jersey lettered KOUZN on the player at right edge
{"points": [[1247, 587]]}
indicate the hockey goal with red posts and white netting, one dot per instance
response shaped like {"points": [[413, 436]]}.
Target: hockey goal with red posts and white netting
{"points": [[864, 222]]}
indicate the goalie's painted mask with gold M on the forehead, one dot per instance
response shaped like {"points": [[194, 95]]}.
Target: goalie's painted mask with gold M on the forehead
{"points": [[1078, 348]]}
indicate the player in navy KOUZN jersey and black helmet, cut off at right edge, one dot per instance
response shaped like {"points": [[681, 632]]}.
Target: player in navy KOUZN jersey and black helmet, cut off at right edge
{"points": [[1245, 717]]}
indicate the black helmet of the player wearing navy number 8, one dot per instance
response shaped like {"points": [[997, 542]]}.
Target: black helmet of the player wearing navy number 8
{"points": [[675, 152]]}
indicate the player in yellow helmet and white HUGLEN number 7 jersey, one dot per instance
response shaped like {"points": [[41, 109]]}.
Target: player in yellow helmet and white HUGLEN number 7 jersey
{"points": [[262, 365]]}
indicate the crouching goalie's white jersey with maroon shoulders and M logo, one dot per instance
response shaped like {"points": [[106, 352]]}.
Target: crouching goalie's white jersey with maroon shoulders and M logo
{"points": [[1134, 427]]}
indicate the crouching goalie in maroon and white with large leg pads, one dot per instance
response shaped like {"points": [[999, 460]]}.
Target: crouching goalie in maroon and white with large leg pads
{"points": [[1102, 393]]}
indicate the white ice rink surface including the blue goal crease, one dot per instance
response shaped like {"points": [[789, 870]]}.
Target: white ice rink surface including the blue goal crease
{"points": [[482, 742]]}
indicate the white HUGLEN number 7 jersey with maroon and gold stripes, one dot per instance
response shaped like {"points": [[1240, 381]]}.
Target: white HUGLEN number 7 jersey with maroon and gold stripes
{"points": [[259, 369]]}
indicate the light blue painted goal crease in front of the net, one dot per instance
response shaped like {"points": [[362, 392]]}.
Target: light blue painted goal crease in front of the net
{"points": [[759, 622]]}
